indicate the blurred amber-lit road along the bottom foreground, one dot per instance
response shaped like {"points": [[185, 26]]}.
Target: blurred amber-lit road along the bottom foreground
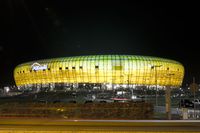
{"points": [[54, 125]]}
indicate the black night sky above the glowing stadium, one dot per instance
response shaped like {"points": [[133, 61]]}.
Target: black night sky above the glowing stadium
{"points": [[38, 29]]}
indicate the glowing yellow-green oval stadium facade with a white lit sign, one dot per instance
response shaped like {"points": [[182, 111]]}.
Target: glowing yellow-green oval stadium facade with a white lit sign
{"points": [[105, 72]]}
